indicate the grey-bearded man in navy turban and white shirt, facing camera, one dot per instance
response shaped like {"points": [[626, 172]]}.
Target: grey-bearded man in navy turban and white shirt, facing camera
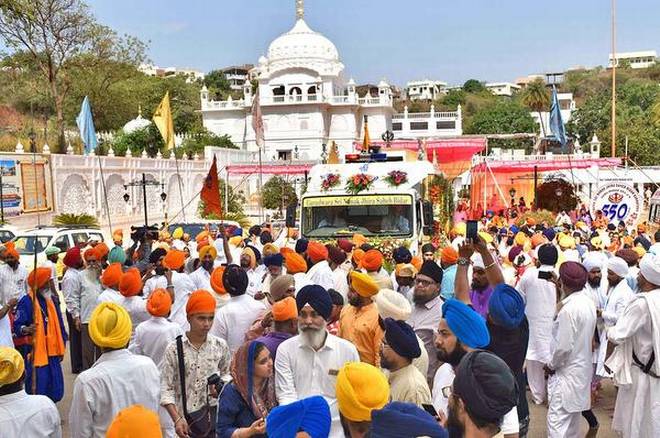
{"points": [[308, 364]]}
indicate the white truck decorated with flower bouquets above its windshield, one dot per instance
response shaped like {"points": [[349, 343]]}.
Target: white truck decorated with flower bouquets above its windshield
{"points": [[377, 195]]}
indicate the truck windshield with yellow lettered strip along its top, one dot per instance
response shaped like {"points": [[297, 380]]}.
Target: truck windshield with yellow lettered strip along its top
{"points": [[371, 215]]}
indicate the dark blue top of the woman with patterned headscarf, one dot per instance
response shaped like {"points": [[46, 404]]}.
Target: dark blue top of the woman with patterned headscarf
{"points": [[233, 413]]}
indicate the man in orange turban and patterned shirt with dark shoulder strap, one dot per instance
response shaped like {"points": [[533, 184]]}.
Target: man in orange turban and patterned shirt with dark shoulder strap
{"points": [[205, 353]]}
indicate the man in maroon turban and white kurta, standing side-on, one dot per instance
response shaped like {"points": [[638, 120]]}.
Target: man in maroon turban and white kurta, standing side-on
{"points": [[570, 365]]}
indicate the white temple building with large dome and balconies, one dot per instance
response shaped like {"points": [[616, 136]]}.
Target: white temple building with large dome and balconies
{"points": [[305, 101]]}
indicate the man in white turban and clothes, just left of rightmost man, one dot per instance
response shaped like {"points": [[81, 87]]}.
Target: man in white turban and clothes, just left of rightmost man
{"points": [[619, 295]]}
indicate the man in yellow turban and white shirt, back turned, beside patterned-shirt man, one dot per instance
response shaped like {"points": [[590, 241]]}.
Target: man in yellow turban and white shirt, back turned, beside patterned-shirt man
{"points": [[117, 380]]}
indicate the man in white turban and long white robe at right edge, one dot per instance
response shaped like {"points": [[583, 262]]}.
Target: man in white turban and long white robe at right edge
{"points": [[635, 362]]}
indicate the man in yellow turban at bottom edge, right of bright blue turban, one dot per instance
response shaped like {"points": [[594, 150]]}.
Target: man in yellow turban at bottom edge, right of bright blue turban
{"points": [[361, 388]]}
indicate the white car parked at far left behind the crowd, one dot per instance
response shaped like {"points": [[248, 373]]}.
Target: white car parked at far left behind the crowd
{"points": [[37, 239]]}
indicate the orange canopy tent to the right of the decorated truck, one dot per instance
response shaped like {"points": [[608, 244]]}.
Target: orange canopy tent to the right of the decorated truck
{"points": [[491, 181]]}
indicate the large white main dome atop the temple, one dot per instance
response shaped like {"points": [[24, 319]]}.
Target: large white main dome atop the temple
{"points": [[302, 42]]}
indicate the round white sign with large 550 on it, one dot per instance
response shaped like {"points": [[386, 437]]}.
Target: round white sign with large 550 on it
{"points": [[618, 201]]}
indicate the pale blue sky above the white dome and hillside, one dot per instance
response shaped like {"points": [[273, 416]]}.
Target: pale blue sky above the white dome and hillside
{"points": [[395, 40]]}
